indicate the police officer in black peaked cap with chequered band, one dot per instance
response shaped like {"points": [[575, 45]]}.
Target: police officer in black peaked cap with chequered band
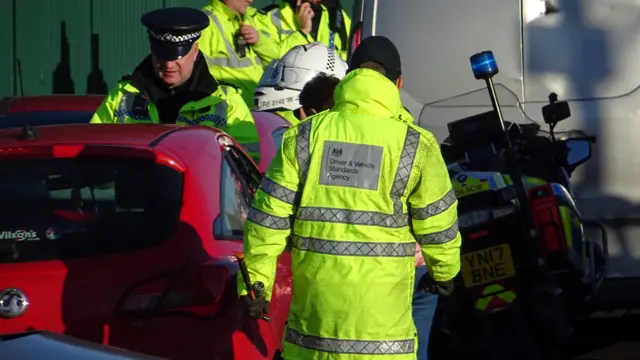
{"points": [[173, 84]]}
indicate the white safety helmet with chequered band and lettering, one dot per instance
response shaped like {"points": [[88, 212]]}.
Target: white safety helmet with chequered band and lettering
{"points": [[283, 79]]}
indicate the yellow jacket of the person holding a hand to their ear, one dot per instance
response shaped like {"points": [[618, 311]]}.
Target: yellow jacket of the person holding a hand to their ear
{"points": [[281, 23]]}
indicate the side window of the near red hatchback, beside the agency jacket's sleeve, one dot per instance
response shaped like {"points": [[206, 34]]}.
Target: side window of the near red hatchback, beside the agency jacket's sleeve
{"points": [[239, 180]]}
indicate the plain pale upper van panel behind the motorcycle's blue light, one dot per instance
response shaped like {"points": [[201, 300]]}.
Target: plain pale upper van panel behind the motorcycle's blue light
{"points": [[436, 39]]}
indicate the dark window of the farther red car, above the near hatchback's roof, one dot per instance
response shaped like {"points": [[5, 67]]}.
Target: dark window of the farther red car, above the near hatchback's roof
{"points": [[38, 118]]}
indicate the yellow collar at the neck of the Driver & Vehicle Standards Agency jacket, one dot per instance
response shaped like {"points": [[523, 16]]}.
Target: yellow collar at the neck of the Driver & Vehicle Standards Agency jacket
{"points": [[366, 91]]}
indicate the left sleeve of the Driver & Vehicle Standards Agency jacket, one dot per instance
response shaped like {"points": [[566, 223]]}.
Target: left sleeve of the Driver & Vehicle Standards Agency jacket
{"points": [[269, 222]]}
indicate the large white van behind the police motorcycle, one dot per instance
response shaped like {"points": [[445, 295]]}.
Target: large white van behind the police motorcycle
{"points": [[586, 51]]}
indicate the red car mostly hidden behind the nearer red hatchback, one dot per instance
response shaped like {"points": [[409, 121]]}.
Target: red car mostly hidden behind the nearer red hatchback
{"points": [[78, 109]]}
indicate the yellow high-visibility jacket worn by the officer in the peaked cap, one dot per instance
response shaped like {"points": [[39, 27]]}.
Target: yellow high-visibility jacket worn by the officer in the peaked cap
{"points": [[225, 110]]}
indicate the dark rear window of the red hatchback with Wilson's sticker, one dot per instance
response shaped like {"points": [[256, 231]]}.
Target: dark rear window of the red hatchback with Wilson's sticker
{"points": [[69, 208]]}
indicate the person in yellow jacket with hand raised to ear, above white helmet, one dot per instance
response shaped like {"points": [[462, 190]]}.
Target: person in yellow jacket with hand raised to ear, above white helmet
{"points": [[297, 22]]}
